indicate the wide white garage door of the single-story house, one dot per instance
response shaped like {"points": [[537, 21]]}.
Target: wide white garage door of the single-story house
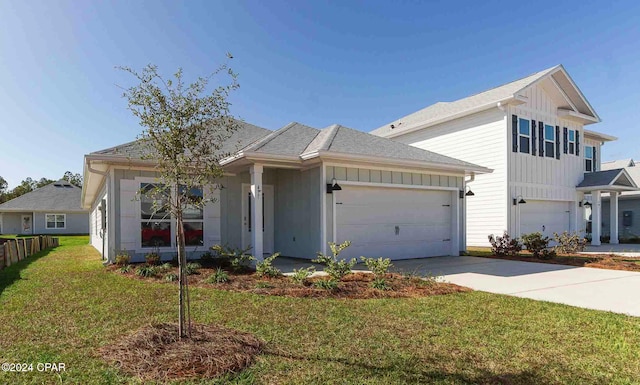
{"points": [[393, 223]]}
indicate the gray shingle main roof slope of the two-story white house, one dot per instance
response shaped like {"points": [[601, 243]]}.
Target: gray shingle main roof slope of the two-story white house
{"points": [[442, 110]]}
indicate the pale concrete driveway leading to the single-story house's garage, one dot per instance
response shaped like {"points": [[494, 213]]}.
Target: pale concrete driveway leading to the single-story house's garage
{"points": [[610, 290]]}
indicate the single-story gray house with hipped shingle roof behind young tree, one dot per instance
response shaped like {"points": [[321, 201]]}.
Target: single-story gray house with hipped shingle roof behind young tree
{"points": [[311, 187]]}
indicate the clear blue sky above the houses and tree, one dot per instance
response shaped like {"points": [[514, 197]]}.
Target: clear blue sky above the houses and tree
{"points": [[360, 64]]}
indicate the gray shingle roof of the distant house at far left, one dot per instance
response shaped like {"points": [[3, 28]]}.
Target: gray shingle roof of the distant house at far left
{"points": [[58, 196]]}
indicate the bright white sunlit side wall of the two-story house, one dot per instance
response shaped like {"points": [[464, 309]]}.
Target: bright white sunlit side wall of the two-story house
{"points": [[481, 139]]}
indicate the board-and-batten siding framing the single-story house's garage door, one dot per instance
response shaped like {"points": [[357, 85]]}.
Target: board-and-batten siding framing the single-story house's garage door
{"points": [[400, 178]]}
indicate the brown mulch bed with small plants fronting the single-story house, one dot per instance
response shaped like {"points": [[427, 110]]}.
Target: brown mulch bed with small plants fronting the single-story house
{"points": [[353, 286]]}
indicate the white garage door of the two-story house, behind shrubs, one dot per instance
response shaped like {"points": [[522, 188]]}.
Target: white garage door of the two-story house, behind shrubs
{"points": [[546, 217]]}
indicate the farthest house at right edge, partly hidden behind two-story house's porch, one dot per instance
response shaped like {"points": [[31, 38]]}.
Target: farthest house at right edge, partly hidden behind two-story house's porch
{"points": [[628, 203]]}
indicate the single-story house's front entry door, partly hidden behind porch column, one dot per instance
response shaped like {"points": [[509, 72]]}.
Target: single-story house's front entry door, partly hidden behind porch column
{"points": [[267, 208]]}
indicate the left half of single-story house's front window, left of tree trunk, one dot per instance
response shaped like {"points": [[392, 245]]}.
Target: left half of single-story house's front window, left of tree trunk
{"points": [[155, 226]]}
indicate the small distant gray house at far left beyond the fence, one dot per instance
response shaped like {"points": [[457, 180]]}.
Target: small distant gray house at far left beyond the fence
{"points": [[51, 209]]}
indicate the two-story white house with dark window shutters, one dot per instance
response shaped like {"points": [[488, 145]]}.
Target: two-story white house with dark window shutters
{"points": [[531, 132]]}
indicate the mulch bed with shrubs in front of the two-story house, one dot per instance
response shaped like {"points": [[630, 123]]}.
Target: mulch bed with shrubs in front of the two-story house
{"points": [[599, 261]]}
